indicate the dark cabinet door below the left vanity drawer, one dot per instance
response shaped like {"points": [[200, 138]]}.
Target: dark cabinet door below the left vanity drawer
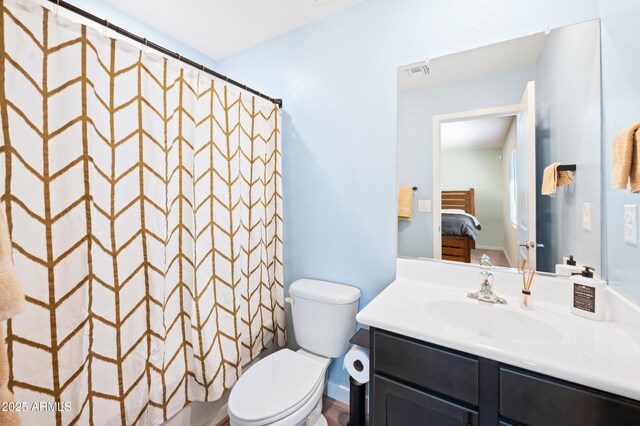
{"points": [[398, 405]]}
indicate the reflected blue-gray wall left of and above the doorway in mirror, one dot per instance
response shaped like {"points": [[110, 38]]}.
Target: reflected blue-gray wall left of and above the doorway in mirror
{"points": [[415, 109]]}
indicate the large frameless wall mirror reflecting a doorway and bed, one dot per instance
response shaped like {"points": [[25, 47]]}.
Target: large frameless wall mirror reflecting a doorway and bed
{"points": [[476, 132]]}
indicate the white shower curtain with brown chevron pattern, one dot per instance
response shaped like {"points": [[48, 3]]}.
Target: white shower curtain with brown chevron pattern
{"points": [[144, 201]]}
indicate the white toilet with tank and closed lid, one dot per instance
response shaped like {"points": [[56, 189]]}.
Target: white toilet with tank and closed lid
{"points": [[286, 388]]}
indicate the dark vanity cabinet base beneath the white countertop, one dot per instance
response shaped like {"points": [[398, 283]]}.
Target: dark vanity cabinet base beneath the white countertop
{"points": [[417, 383]]}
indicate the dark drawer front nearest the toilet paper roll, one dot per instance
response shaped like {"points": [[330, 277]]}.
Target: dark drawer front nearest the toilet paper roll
{"points": [[450, 374]]}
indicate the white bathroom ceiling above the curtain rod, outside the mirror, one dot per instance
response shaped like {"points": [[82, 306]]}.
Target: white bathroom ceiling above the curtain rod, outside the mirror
{"points": [[219, 28]]}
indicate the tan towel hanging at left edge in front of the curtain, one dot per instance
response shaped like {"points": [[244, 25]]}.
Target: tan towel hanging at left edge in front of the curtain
{"points": [[11, 303]]}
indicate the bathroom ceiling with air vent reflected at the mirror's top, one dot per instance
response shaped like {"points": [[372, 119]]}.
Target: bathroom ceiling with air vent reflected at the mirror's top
{"points": [[510, 54]]}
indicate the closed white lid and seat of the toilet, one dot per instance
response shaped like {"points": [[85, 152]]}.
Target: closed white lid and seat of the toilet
{"points": [[275, 387]]}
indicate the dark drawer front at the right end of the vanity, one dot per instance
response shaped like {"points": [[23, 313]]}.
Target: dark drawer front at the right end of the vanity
{"points": [[537, 400]]}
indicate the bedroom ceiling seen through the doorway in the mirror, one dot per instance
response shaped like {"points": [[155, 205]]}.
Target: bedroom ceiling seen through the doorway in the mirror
{"points": [[481, 133]]}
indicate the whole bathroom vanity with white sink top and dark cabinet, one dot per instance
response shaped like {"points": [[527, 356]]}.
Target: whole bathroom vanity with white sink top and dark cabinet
{"points": [[440, 358]]}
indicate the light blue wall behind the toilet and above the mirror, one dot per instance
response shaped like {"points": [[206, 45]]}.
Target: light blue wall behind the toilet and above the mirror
{"points": [[338, 80]]}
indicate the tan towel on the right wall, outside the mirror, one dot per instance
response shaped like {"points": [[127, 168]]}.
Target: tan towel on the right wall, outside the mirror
{"points": [[626, 159]]}
